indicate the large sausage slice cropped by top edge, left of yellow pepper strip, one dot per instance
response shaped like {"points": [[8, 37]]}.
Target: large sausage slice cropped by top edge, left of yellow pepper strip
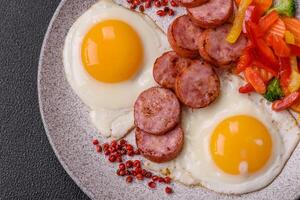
{"points": [[212, 13]]}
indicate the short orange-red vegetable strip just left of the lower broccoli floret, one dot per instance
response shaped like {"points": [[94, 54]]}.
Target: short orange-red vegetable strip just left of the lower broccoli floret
{"points": [[255, 80]]}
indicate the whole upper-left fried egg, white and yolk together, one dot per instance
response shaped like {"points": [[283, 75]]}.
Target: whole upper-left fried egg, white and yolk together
{"points": [[108, 57]]}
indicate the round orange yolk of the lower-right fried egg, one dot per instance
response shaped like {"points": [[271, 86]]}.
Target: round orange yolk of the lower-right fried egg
{"points": [[240, 145]]}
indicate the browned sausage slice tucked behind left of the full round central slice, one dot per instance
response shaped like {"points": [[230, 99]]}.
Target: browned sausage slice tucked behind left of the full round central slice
{"points": [[167, 67]]}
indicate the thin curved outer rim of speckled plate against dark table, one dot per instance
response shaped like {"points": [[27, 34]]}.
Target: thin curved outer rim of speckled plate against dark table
{"points": [[42, 53]]}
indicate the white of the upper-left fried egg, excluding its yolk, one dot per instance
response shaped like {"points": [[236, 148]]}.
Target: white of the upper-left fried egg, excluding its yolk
{"points": [[112, 104]]}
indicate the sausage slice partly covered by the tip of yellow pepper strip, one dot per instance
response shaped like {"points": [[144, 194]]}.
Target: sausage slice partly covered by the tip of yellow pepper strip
{"points": [[222, 52]]}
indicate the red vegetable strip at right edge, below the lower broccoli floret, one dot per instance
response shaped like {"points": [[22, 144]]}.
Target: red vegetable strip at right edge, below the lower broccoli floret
{"points": [[286, 102]]}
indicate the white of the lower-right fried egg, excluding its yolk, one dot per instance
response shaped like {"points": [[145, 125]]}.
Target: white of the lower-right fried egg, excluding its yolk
{"points": [[194, 166]]}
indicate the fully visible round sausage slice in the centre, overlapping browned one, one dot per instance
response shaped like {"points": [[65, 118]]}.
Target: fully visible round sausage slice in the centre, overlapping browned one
{"points": [[198, 85]]}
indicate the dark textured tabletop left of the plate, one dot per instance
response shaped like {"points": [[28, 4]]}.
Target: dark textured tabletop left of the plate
{"points": [[28, 166]]}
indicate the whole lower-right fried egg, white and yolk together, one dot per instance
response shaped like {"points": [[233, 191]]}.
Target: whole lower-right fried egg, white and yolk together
{"points": [[236, 145]]}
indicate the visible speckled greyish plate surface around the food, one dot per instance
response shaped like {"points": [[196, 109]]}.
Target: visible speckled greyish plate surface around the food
{"points": [[70, 132]]}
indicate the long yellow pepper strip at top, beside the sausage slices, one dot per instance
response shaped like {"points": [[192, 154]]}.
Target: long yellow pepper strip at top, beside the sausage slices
{"points": [[237, 26]]}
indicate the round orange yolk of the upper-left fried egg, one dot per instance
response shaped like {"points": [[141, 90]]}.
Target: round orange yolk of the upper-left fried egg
{"points": [[112, 51]]}
